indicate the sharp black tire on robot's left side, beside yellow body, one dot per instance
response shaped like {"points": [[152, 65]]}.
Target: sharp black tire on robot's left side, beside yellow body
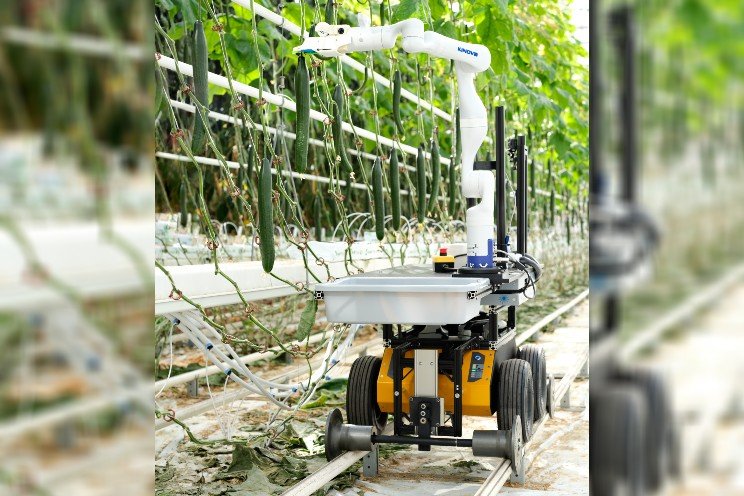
{"points": [[361, 394]]}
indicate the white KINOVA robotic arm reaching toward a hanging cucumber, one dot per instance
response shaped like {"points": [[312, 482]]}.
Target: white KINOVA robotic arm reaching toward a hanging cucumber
{"points": [[470, 59]]}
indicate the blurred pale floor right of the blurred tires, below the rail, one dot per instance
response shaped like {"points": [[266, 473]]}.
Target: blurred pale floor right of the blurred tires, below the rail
{"points": [[704, 366]]}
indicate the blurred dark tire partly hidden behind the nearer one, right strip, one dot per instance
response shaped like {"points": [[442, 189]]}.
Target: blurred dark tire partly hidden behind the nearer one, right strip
{"points": [[658, 438]]}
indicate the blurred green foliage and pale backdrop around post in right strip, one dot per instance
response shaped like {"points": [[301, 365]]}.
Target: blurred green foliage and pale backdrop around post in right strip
{"points": [[690, 107]]}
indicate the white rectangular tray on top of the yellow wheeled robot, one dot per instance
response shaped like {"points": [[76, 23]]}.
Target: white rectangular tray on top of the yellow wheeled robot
{"points": [[412, 294]]}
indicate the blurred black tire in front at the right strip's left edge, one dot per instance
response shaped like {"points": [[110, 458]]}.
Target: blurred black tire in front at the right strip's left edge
{"points": [[617, 426]]}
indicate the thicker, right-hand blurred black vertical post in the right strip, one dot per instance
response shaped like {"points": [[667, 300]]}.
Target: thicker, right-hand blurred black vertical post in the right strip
{"points": [[623, 24]]}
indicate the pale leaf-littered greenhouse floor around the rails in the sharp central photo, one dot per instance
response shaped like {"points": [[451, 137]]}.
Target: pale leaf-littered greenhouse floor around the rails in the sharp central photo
{"points": [[560, 452]]}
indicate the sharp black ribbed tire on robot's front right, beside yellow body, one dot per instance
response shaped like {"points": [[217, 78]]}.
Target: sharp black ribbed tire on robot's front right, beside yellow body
{"points": [[516, 396]]}
